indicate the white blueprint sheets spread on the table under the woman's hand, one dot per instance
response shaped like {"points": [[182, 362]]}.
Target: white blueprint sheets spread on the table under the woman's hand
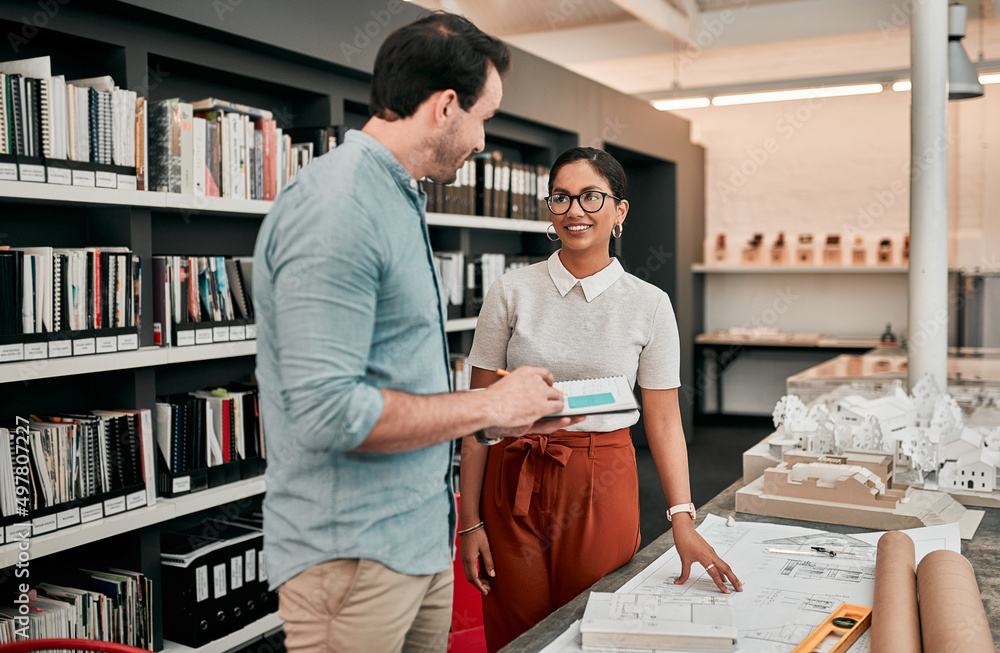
{"points": [[786, 593]]}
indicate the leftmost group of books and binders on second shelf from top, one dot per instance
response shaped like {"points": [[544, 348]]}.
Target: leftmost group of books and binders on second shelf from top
{"points": [[66, 302]]}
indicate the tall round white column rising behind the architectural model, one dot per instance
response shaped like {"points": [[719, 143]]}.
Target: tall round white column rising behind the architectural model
{"points": [[928, 308]]}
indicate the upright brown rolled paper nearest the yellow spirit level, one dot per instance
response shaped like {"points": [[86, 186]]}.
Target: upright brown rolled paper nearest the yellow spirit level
{"points": [[895, 618]]}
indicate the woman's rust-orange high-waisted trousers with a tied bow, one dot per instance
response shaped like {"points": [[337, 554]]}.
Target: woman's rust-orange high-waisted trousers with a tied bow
{"points": [[561, 512]]}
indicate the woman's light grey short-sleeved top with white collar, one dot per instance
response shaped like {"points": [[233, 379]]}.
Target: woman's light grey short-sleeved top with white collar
{"points": [[608, 324]]}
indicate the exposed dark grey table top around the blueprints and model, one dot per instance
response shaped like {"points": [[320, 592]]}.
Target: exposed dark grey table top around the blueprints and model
{"points": [[983, 552]]}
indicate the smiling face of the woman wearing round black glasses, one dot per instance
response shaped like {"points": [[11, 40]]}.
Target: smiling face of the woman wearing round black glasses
{"points": [[579, 230]]}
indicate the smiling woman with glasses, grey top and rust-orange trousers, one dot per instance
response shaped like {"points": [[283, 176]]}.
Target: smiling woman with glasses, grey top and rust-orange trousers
{"points": [[547, 516]]}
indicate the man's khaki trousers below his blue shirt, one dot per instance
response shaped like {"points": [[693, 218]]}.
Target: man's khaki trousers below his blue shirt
{"points": [[342, 606]]}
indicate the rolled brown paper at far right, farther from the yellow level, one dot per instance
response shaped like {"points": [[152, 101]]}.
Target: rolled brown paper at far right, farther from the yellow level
{"points": [[952, 617]]}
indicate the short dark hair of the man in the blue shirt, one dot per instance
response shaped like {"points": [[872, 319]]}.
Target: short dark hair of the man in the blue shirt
{"points": [[436, 53]]}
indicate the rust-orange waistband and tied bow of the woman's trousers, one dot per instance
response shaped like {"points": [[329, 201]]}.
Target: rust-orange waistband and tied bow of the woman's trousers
{"points": [[558, 446]]}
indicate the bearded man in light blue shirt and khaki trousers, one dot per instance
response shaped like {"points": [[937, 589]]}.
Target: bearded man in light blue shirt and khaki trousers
{"points": [[352, 359]]}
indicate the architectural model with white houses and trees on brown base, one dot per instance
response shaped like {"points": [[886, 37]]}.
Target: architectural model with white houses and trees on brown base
{"points": [[873, 462]]}
